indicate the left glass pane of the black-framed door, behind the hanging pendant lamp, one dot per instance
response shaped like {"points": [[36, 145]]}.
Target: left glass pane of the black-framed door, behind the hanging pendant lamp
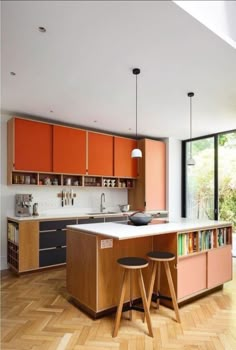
{"points": [[200, 179]]}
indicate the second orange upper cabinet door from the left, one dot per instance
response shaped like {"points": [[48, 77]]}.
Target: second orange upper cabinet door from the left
{"points": [[69, 150]]}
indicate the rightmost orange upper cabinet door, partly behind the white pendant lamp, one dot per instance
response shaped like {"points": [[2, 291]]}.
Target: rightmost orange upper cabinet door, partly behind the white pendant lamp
{"points": [[124, 165]]}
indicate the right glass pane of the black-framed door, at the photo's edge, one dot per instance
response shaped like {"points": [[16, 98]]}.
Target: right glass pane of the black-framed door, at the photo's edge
{"points": [[227, 177]]}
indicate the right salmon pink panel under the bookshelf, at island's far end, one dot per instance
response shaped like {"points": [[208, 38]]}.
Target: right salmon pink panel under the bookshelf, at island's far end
{"points": [[219, 266]]}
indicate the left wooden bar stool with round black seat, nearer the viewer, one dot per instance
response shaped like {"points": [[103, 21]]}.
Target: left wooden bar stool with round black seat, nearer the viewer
{"points": [[129, 264]]}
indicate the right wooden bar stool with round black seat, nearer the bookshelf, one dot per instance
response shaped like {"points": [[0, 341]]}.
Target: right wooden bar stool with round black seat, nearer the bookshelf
{"points": [[157, 258]]}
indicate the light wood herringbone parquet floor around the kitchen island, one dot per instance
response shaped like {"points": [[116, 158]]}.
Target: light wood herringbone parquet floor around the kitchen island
{"points": [[37, 315]]}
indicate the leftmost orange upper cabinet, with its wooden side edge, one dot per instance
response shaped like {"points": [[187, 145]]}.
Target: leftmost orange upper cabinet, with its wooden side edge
{"points": [[32, 145]]}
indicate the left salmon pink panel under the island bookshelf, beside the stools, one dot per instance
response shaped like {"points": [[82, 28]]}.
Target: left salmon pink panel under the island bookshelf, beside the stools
{"points": [[192, 276]]}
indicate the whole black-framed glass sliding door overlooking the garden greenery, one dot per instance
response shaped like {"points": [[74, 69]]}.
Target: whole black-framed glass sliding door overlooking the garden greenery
{"points": [[209, 186]]}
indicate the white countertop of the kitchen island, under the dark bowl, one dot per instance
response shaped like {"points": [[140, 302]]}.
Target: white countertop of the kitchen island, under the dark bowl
{"points": [[121, 231]]}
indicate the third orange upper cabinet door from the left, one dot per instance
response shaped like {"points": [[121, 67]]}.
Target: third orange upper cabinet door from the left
{"points": [[100, 154]]}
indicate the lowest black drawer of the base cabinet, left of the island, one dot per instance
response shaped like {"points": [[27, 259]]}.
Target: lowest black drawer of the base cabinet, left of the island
{"points": [[52, 256]]}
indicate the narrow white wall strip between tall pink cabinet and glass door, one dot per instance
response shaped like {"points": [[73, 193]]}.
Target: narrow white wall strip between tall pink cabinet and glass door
{"points": [[174, 178]]}
